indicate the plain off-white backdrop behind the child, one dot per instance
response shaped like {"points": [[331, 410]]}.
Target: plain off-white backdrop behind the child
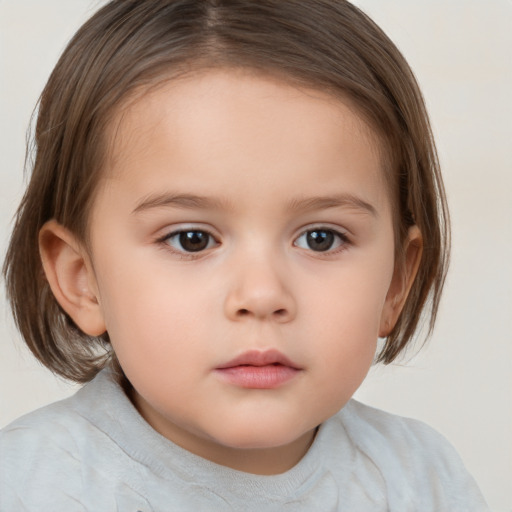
{"points": [[460, 382]]}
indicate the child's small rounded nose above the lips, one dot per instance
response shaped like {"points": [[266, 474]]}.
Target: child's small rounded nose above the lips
{"points": [[258, 291]]}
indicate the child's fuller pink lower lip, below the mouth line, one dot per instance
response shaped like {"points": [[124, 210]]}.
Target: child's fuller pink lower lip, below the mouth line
{"points": [[258, 377]]}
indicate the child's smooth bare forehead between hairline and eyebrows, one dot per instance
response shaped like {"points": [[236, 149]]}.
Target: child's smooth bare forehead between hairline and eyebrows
{"points": [[210, 123]]}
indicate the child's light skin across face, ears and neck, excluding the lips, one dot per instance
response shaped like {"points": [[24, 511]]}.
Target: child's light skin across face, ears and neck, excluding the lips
{"points": [[283, 196]]}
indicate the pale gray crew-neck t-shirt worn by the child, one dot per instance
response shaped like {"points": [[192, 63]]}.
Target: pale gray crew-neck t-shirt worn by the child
{"points": [[94, 452]]}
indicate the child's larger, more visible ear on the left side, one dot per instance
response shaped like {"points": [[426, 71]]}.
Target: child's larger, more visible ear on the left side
{"points": [[71, 277]]}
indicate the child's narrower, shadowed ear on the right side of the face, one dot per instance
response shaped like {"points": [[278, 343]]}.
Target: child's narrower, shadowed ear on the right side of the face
{"points": [[402, 281]]}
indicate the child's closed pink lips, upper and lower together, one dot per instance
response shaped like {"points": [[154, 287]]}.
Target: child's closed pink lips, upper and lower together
{"points": [[258, 370]]}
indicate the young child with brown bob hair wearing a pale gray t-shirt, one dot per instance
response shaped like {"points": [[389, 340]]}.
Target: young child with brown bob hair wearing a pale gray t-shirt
{"points": [[230, 202]]}
